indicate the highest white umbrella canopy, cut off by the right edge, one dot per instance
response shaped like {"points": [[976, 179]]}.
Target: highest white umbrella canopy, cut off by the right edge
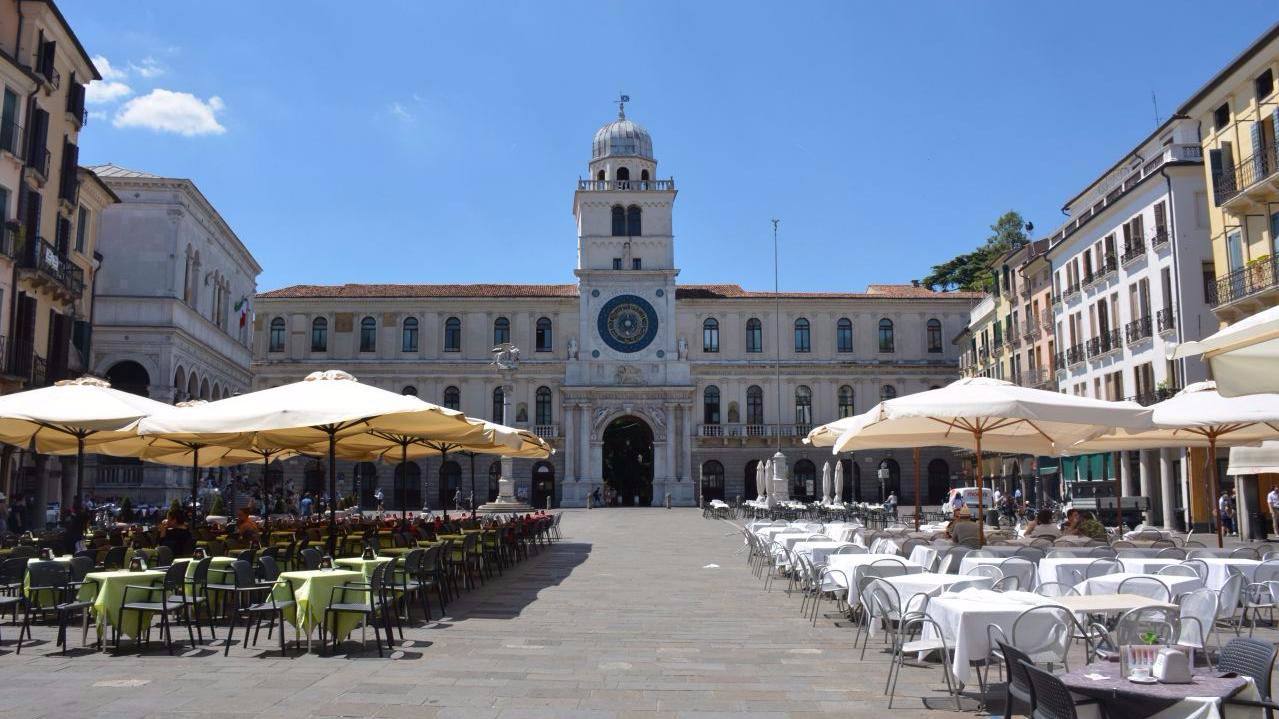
{"points": [[1245, 356]]}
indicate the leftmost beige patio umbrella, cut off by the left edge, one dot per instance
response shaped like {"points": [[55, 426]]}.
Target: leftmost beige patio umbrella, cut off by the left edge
{"points": [[72, 415]]}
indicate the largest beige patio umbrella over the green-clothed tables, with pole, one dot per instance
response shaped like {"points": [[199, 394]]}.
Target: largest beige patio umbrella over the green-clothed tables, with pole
{"points": [[326, 409]]}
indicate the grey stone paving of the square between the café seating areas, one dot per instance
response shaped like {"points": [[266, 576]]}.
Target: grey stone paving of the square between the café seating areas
{"points": [[635, 613]]}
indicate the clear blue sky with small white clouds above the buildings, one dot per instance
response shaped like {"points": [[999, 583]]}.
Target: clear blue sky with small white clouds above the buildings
{"points": [[442, 143]]}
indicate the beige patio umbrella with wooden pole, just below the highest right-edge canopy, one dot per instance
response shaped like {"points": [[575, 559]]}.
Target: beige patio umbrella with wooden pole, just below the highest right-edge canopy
{"points": [[1199, 416]]}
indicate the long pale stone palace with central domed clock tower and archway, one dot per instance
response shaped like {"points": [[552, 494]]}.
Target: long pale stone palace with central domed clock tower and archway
{"points": [[643, 384]]}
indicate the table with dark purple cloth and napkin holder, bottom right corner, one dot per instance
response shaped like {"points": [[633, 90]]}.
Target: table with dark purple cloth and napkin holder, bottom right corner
{"points": [[1117, 697]]}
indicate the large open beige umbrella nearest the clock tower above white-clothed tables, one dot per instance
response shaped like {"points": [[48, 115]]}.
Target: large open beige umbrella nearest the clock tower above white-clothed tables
{"points": [[980, 413]]}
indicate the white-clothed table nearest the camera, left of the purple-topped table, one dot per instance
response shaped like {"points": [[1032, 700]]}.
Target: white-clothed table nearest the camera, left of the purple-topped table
{"points": [[964, 619]]}
